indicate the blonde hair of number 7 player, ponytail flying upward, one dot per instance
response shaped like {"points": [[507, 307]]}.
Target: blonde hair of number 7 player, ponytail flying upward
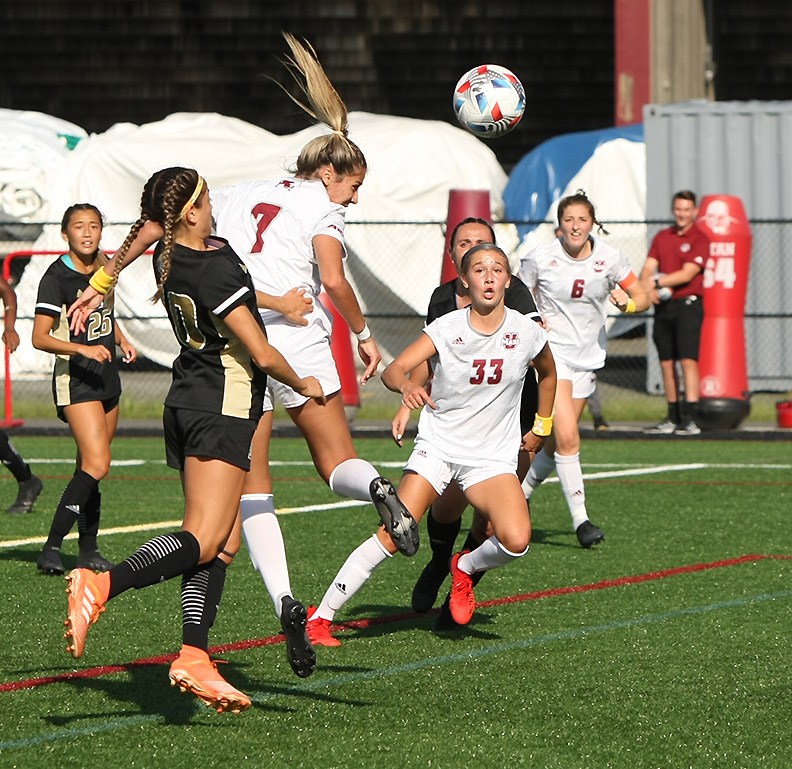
{"points": [[324, 104]]}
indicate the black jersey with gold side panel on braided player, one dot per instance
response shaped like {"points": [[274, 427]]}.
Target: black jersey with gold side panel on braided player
{"points": [[214, 371]]}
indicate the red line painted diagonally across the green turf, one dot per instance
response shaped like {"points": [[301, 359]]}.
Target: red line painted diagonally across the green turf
{"points": [[254, 643]]}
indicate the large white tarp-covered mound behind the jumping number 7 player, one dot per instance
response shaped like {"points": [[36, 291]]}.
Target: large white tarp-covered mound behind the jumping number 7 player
{"points": [[412, 166]]}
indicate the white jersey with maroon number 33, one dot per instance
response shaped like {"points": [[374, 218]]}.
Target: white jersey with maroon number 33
{"points": [[477, 386]]}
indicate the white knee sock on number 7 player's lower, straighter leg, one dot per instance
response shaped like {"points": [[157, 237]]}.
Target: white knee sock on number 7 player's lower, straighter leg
{"points": [[264, 541]]}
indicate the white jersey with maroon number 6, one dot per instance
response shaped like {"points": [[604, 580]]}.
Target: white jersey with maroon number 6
{"points": [[573, 297]]}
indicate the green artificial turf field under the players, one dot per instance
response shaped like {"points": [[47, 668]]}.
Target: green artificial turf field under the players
{"points": [[667, 646]]}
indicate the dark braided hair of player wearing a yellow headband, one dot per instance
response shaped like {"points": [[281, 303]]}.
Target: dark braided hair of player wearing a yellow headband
{"points": [[164, 196]]}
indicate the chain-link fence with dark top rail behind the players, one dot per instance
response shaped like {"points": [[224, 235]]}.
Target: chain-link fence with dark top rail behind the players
{"points": [[395, 266]]}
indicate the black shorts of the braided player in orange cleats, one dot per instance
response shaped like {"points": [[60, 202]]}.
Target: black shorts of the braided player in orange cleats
{"points": [[191, 433]]}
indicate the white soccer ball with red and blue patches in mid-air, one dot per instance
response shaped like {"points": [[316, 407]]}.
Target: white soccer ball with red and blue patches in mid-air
{"points": [[489, 101]]}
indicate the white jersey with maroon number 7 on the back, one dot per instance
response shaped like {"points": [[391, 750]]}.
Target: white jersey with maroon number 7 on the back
{"points": [[271, 226]]}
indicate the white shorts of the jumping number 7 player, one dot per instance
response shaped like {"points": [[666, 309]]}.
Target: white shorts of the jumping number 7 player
{"points": [[307, 349]]}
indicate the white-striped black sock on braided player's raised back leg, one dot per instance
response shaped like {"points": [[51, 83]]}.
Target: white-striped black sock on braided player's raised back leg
{"points": [[160, 559]]}
